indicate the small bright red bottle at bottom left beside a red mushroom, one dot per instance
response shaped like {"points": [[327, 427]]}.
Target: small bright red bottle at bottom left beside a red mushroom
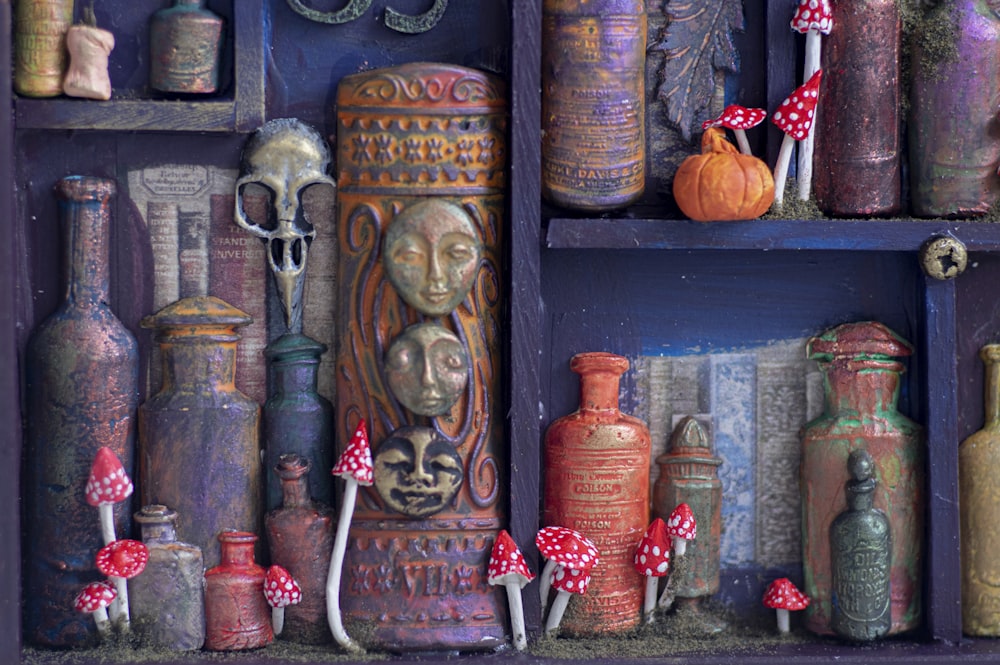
{"points": [[237, 615]]}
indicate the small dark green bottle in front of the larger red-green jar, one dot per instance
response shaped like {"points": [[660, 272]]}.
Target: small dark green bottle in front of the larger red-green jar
{"points": [[860, 547]]}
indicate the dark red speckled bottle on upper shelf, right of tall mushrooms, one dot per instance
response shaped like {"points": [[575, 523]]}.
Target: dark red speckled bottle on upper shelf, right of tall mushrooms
{"points": [[859, 119]]}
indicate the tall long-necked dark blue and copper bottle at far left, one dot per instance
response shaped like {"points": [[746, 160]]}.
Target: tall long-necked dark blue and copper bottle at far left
{"points": [[81, 393]]}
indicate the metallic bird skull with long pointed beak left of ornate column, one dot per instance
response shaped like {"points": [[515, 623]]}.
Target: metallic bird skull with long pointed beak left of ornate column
{"points": [[282, 159]]}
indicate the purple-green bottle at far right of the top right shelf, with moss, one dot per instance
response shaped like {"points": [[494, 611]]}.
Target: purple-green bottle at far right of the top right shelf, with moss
{"points": [[954, 146]]}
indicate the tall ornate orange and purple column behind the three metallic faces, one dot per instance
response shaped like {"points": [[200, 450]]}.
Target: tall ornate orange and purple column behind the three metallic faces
{"points": [[408, 138]]}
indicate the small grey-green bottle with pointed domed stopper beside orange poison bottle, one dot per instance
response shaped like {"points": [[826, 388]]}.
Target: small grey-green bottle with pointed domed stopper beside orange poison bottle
{"points": [[689, 473]]}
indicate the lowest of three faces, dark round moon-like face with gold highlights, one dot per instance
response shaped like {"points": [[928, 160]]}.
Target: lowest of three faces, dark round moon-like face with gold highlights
{"points": [[417, 472]]}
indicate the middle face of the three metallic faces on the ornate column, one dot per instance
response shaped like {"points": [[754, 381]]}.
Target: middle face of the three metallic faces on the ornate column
{"points": [[427, 369]]}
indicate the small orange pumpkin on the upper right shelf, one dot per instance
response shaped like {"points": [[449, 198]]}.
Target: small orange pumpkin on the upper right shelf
{"points": [[722, 184]]}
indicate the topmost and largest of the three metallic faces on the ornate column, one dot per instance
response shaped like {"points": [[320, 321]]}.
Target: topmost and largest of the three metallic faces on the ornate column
{"points": [[432, 256]]}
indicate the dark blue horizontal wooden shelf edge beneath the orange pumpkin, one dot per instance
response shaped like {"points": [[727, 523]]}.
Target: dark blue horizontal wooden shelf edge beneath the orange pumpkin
{"points": [[860, 235]]}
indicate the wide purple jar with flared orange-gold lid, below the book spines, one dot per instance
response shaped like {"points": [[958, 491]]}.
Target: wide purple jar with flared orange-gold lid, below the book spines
{"points": [[199, 433]]}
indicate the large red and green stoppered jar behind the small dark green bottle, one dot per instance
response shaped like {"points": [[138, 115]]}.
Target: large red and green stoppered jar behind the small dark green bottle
{"points": [[862, 379]]}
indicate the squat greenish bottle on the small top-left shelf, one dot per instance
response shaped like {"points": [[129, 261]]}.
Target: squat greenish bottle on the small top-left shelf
{"points": [[184, 42]]}
